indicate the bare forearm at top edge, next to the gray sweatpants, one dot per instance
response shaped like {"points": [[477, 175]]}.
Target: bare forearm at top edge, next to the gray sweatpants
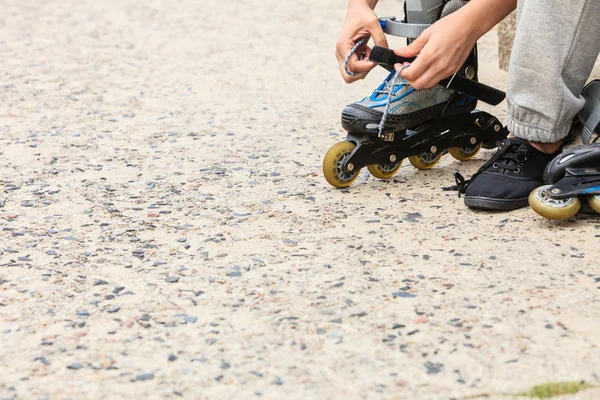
{"points": [[483, 15]]}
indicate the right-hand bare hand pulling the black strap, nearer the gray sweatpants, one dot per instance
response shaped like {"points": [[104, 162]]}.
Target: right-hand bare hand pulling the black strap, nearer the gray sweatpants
{"points": [[441, 50]]}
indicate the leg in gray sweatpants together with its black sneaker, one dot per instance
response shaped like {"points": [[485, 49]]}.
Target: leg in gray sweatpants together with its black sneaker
{"points": [[556, 45]]}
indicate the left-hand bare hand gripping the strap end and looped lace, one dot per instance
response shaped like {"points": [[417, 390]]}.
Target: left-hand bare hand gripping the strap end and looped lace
{"points": [[361, 22]]}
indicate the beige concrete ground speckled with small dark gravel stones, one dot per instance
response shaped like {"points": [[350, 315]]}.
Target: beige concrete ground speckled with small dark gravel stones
{"points": [[166, 231]]}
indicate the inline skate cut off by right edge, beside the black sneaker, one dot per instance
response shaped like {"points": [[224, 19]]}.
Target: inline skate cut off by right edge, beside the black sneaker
{"points": [[575, 172]]}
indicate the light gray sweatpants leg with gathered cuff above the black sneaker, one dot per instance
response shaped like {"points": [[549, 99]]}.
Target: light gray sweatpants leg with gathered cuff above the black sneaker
{"points": [[556, 45]]}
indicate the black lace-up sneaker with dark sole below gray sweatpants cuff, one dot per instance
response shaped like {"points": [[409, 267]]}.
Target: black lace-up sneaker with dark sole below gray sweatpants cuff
{"points": [[505, 181]]}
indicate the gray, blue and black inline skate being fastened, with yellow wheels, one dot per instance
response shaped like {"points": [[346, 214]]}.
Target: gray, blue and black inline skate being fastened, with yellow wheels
{"points": [[398, 122]]}
